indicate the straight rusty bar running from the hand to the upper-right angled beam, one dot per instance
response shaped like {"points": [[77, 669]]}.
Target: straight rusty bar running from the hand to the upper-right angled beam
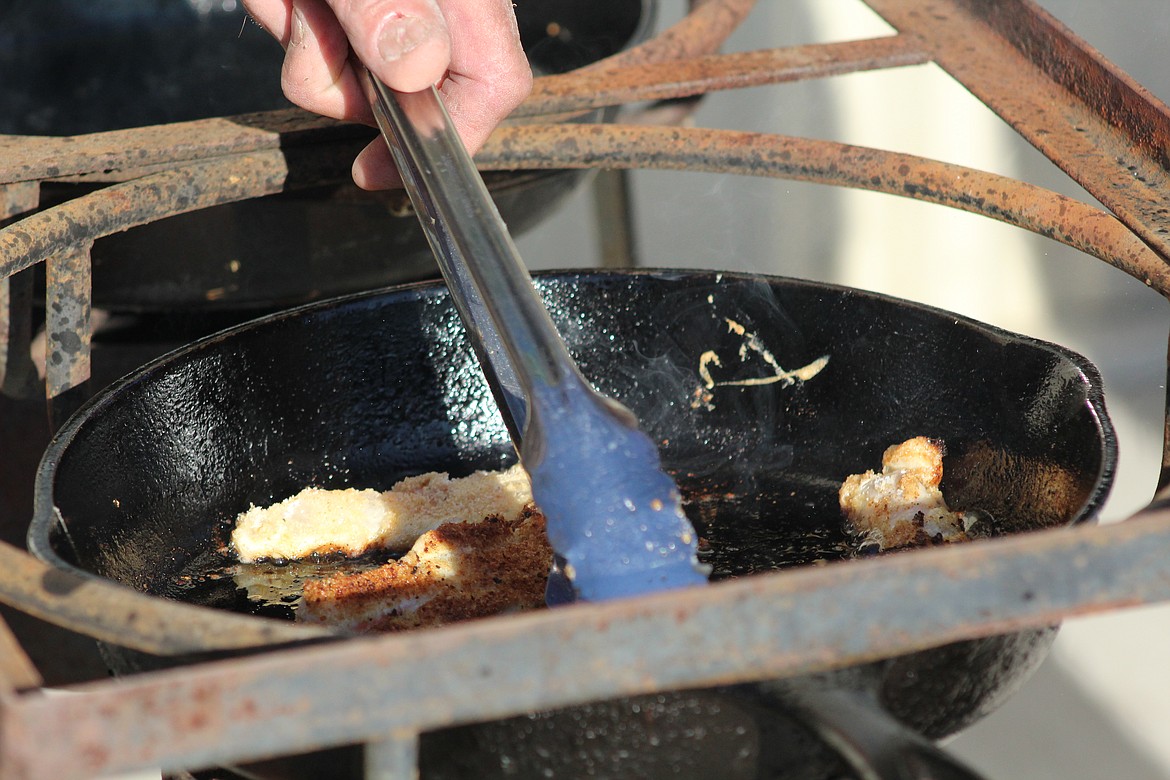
{"points": [[616, 86]]}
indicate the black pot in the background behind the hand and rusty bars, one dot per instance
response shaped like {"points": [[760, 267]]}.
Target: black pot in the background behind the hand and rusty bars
{"points": [[87, 67]]}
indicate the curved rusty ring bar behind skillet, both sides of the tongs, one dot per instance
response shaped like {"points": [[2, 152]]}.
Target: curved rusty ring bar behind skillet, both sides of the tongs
{"points": [[221, 181]]}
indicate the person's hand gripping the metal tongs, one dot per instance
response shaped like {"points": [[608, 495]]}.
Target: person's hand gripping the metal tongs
{"points": [[470, 49]]}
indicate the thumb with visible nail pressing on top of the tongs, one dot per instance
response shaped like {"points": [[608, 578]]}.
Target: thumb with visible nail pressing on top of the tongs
{"points": [[404, 43]]}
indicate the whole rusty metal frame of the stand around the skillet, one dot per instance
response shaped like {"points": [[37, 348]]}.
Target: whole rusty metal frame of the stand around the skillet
{"points": [[1077, 108]]}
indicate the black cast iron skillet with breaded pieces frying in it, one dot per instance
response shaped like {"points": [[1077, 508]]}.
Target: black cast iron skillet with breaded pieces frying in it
{"points": [[367, 390]]}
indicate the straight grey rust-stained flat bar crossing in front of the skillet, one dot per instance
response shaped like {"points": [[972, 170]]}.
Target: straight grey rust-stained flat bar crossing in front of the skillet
{"points": [[761, 627]]}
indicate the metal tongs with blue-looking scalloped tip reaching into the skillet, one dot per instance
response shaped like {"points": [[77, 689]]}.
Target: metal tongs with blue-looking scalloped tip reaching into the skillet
{"points": [[615, 519]]}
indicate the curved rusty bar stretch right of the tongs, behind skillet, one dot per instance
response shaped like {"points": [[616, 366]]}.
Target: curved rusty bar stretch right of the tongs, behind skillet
{"points": [[724, 151]]}
